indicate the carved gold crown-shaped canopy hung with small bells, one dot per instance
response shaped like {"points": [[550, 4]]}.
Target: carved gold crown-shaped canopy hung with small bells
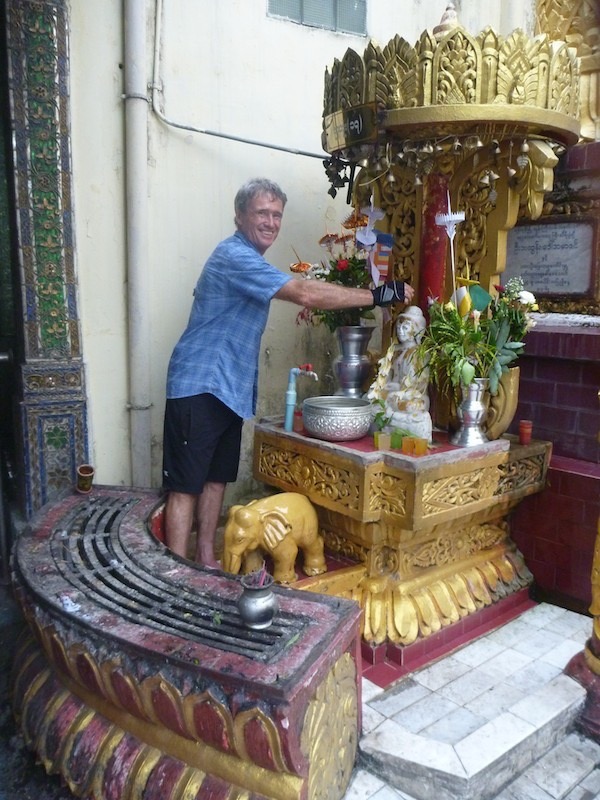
{"points": [[488, 114]]}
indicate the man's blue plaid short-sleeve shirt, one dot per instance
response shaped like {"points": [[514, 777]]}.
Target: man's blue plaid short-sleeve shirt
{"points": [[218, 351]]}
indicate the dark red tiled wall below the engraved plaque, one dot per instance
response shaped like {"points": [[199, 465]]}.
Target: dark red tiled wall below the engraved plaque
{"points": [[556, 529]]}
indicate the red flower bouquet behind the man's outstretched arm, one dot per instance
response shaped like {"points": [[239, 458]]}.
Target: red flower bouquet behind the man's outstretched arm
{"points": [[347, 264]]}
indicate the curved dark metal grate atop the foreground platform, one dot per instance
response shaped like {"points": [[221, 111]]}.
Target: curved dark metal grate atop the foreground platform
{"points": [[88, 551]]}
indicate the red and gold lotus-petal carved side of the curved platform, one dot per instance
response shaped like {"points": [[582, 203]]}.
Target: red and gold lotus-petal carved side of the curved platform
{"points": [[104, 751]]}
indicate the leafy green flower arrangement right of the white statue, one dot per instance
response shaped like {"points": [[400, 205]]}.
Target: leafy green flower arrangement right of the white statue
{"points": [[479, 336]]}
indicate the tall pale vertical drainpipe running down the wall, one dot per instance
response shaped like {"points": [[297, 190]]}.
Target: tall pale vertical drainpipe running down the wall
{"points": [[136, 180]]}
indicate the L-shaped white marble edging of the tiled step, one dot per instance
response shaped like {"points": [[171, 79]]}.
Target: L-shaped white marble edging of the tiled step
{"points": [[482, 763]]}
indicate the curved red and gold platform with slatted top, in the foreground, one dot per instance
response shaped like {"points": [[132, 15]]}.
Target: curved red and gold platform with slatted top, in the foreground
{"points": [[137, 676]]}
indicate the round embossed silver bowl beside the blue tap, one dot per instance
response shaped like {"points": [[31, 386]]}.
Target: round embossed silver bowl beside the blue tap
{"points": [[336, 419]]}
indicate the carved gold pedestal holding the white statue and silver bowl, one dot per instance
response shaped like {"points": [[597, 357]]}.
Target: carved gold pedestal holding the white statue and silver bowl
{"points": [[429, 536]]}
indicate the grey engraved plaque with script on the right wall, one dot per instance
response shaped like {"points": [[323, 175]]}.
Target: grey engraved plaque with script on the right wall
{"points": [[553, 259]]}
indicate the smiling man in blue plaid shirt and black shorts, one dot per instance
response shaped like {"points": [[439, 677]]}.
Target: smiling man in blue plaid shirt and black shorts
{"points": [[213, 372]]}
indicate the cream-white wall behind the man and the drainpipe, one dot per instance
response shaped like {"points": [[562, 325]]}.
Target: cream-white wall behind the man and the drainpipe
{"points": [[226, 67]]}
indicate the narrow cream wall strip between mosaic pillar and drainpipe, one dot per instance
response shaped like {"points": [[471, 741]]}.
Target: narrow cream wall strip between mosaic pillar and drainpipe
{"points": [[98, 173]]}
